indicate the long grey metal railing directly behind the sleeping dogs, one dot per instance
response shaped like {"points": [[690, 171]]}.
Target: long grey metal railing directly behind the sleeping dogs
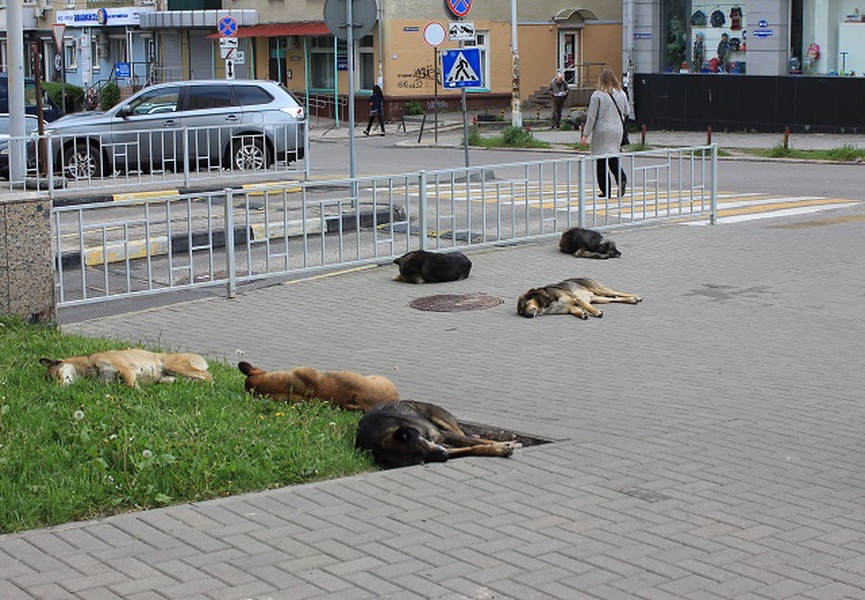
{"points": [[154, 245]]}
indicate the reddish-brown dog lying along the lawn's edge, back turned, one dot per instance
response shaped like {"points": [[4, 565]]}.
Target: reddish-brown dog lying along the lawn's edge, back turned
{"points": [[345, 389]]}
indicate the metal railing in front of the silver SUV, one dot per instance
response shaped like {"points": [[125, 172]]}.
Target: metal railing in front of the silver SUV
{"points": [[179, 156]]}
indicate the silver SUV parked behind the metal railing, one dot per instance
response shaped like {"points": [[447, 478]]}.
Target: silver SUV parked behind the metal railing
{"points": [[210, 123]]}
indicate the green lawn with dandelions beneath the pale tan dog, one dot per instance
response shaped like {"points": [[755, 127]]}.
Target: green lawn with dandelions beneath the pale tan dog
{"points": [[93, 449]]}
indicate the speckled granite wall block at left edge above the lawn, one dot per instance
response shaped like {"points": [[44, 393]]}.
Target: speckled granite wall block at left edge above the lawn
{"points": [[26, 272]]}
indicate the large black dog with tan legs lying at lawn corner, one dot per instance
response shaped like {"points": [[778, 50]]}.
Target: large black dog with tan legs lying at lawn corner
{"points": [[406, 433]]}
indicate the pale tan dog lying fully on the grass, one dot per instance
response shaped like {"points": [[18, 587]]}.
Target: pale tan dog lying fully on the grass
{"points": [[130, 366]]}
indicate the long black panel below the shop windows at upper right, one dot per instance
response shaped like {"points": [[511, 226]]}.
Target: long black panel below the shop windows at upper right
{"points": [[750, 103]]}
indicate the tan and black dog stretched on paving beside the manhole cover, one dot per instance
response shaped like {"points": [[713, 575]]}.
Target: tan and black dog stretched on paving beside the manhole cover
{"points": [[571, 297]]}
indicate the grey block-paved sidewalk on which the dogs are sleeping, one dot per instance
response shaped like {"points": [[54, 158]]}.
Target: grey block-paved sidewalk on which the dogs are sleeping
{"points": [[708, 442]]}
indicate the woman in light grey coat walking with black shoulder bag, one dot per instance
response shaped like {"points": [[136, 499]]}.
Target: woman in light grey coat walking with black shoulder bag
{"points": [[605, 128]]}
